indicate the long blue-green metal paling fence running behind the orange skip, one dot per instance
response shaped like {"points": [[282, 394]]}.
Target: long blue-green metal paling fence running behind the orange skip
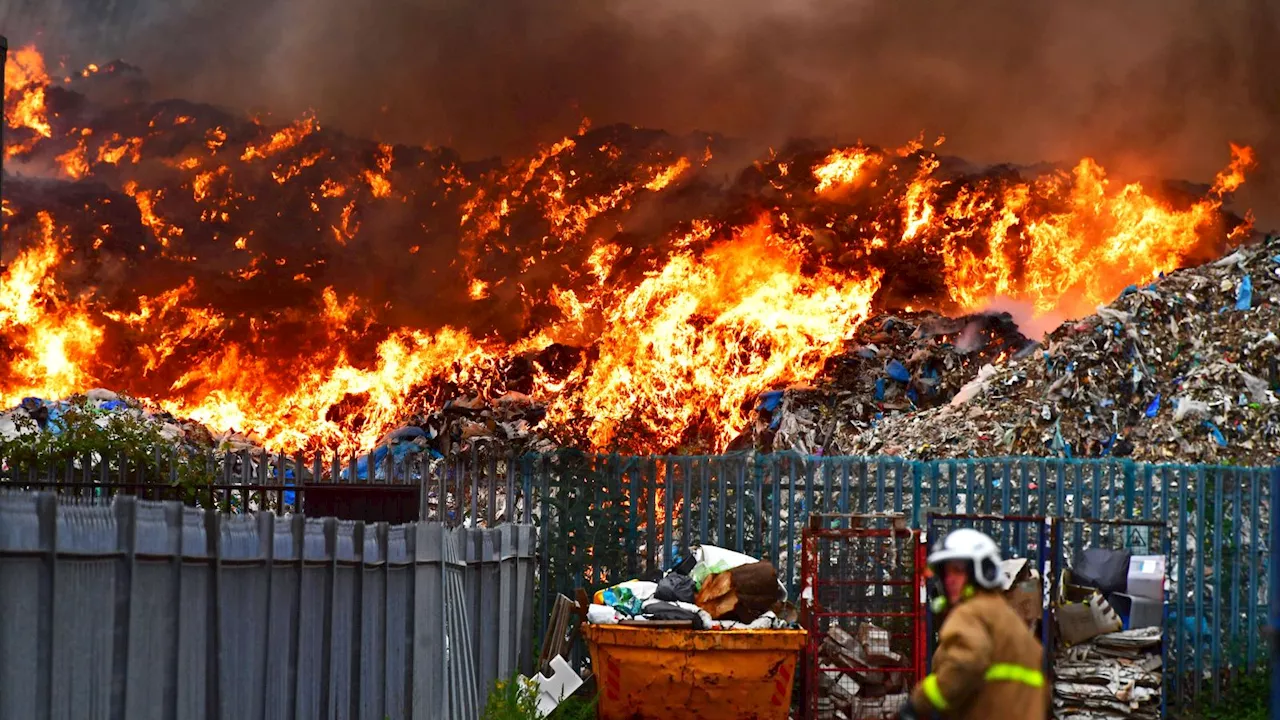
{"points": [[607, 518]]}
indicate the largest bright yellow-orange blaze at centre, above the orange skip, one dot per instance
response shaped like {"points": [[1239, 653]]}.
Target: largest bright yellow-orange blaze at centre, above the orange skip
{"points": [[707, 334]]}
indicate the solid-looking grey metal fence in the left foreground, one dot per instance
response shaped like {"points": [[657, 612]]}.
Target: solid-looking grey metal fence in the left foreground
{"points": [[159, 610]]}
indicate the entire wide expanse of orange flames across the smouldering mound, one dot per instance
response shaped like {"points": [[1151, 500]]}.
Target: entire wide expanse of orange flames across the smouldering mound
{"points": [[678, 322]]}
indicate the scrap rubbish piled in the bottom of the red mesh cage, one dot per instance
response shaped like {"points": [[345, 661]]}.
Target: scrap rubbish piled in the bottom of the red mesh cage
{"points": [[861, 695]]}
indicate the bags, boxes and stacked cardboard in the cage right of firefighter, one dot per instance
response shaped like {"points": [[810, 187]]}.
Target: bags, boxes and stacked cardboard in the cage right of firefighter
{"points": [[1110, 618]]}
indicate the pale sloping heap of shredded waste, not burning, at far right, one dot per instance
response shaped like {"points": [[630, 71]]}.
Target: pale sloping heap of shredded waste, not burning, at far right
{"points": [[1186, 368]]}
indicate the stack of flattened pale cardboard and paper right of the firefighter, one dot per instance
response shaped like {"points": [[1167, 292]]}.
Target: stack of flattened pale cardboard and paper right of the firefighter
{"points": [[1113, 676]]}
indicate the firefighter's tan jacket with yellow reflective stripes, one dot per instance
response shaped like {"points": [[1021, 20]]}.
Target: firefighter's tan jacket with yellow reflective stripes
{"points": [[988, 666]]}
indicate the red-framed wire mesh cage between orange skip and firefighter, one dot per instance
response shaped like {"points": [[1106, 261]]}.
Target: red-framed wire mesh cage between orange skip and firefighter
{"points": [[861, 603]]}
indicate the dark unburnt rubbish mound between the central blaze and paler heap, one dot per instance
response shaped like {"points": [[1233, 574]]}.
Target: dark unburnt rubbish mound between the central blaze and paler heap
{"points": [[895, 364]]}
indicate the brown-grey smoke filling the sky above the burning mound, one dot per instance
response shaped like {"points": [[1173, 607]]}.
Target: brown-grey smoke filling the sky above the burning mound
{"points": [[1151, 88]]}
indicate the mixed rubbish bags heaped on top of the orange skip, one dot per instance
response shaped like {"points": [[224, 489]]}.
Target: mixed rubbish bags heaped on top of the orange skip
{"points": [[711, 589]]}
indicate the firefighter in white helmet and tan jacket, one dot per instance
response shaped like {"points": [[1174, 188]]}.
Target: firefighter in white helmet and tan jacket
{"points": [[988, 663]]}
